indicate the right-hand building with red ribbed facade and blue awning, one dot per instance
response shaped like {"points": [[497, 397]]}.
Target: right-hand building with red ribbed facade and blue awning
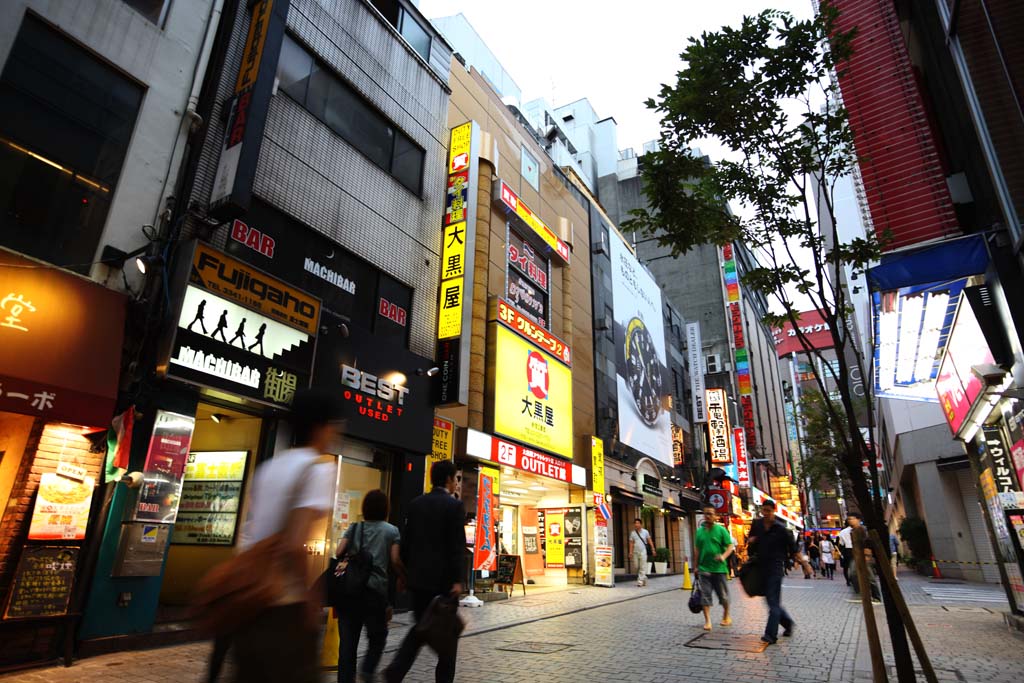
{"points": [[936, 135]]}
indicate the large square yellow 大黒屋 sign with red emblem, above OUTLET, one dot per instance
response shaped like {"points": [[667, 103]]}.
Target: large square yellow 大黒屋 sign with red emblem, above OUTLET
{"points": [[533, 395]]}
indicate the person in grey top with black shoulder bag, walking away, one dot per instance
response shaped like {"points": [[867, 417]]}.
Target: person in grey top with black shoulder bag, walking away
{"points": [[377, 542]]}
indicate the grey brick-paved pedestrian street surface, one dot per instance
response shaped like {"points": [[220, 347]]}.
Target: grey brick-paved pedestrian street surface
{"points": [[630, 634]]}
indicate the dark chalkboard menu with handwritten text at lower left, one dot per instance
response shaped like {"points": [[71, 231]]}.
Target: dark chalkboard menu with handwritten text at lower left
{"points": [[42, 582]]}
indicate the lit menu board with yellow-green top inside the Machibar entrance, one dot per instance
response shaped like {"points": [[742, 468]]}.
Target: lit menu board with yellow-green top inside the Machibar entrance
{"points": [[211, 496]]}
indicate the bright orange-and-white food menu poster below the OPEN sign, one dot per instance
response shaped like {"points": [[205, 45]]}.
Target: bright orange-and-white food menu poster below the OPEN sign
{"points": [[62, 511]]}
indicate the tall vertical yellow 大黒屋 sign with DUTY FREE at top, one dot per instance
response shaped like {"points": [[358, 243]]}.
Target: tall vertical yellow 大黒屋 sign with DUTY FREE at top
{"points": [[455, 303]]}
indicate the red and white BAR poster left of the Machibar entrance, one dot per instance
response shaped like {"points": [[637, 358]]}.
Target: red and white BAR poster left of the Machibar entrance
{"points": [[165, 465]]}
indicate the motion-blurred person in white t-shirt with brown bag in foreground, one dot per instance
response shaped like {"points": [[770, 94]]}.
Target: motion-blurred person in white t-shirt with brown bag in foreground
{"points": [[290, 494]]}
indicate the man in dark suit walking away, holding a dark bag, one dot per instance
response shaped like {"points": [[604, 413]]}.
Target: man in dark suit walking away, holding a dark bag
{"points": [[434, 550]]}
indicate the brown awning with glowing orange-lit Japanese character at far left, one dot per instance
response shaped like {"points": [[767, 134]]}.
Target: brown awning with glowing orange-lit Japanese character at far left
{"points": [[61, 341]]}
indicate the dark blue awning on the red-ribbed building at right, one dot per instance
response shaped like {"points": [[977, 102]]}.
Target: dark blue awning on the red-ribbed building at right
{"points": [[946, 262]]}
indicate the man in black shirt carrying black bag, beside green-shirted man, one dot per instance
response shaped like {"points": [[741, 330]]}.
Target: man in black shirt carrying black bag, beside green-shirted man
{"points": [[773, 545]]}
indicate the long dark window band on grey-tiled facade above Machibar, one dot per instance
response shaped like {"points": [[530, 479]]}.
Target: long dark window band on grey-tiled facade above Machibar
{"points": [[348, 114]]}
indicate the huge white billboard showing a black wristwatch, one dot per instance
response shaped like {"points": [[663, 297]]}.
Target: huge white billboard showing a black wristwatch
{"points": [[645, 423]]}
